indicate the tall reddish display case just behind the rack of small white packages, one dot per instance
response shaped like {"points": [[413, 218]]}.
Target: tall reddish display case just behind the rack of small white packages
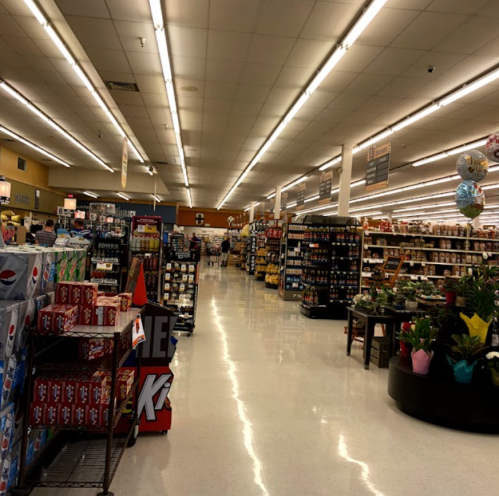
{"points": [[146, 243]]}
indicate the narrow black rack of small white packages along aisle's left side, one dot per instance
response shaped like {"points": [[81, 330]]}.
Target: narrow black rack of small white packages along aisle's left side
{"points": [[181, 292]]}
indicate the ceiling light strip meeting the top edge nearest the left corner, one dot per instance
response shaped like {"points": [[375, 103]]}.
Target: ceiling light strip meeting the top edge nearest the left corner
{"points": [[35, 10]]}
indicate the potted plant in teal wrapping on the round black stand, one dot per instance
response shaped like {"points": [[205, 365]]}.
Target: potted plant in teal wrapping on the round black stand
{"points": [[464, 356]]}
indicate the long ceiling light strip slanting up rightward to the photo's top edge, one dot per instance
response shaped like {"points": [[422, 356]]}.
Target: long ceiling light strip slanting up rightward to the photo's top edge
{"points": [[365, 19]]}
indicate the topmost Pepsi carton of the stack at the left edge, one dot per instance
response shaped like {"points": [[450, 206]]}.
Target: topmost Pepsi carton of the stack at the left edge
{"points": [[20, 274]]}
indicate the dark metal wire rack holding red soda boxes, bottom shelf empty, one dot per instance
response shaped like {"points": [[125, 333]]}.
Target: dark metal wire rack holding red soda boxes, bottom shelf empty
{"points": [[80, 458]]}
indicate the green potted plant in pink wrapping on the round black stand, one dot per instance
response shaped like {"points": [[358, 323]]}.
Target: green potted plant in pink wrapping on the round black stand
{"points": [[420, 336]]}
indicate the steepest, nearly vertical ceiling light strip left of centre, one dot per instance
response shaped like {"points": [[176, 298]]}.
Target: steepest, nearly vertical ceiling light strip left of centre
{"points": [[162, 43]]}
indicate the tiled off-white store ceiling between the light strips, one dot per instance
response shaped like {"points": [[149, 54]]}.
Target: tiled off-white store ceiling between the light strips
{"points": [[238, 65]]}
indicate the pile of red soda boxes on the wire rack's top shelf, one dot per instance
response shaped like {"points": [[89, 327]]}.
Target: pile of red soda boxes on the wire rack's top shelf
{"points": [[79, 303]]}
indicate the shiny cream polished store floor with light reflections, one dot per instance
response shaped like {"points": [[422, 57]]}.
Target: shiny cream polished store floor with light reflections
{"points": [[267, 404]]}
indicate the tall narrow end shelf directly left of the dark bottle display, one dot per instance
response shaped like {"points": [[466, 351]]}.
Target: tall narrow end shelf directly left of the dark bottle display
{"points": [[291, 261]]}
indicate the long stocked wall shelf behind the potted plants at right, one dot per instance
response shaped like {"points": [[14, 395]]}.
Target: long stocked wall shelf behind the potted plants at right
{"points": [[432, 257]]}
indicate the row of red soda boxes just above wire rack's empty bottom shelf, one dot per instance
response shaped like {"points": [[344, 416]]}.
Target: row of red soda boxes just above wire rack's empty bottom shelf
{"points": [[76, 398]]}
